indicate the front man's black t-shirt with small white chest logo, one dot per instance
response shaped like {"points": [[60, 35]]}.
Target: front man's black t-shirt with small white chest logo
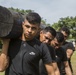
{"points": [[26, 61]]}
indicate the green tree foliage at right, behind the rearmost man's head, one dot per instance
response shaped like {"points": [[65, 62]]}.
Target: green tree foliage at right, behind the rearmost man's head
{"points": [[70, 22]]}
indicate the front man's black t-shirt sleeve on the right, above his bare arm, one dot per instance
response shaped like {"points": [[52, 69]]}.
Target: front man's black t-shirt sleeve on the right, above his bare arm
{"points": [[46, 57]]}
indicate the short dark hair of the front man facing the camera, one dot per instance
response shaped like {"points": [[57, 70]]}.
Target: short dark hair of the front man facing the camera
{"points": [[33, 18]]}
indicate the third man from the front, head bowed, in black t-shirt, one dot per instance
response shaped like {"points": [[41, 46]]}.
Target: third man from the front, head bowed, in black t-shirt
{"points": [[60, 53]]}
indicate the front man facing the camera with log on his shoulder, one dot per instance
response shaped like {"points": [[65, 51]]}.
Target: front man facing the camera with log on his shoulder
{"points": [[30, 50]]}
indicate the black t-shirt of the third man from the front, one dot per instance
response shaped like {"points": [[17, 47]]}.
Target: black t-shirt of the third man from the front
{"points": [[60, 57]]}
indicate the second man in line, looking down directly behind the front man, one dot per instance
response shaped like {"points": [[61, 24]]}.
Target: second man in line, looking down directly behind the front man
{"points": [[47, 35]]}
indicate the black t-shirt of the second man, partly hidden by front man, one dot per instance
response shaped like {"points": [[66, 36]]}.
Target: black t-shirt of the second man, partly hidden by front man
{"points": [[42, 68]]}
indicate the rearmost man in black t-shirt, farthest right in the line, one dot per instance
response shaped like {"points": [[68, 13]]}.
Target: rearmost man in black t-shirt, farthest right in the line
{"points": [[68, 46]]}
